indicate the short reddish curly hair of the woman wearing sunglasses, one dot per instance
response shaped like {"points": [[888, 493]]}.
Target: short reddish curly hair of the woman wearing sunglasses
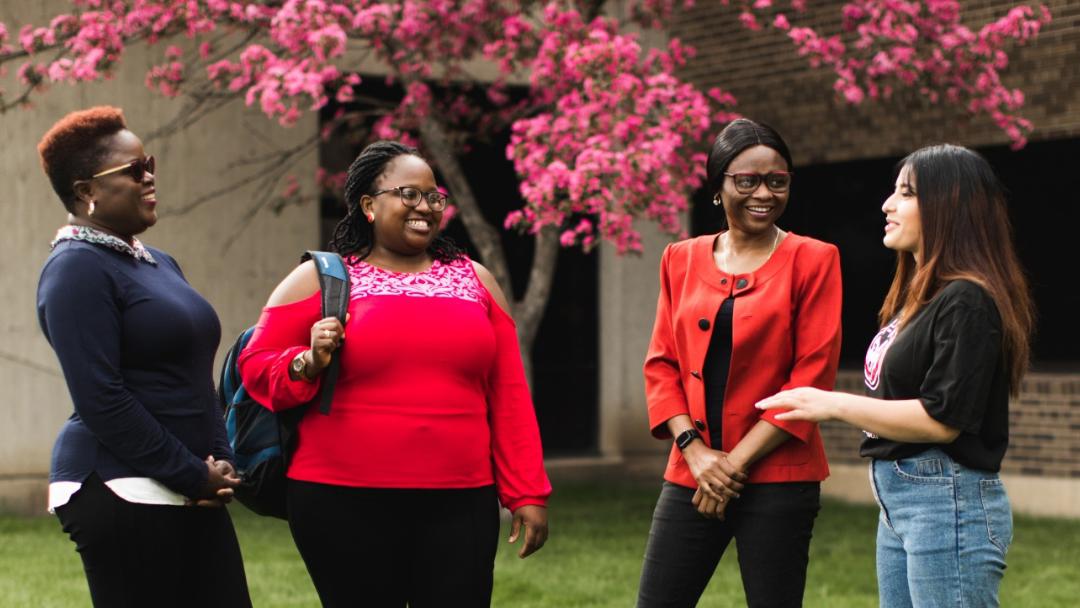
{"points": [[74, 147]]}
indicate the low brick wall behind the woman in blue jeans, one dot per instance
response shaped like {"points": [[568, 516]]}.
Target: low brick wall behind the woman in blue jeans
{"points": [[1044, 427]]}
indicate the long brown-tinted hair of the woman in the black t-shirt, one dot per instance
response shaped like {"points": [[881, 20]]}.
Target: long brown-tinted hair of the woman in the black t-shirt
{"points": [[966, 235]]}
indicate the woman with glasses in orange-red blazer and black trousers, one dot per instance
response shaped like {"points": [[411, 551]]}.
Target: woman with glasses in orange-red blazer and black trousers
{"points": [[741, 316]]}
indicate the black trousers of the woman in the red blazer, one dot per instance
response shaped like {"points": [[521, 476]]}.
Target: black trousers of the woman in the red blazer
{"points": [[772, 525]]}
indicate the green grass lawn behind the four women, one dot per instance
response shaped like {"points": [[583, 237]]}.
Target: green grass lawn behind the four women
{"points": [[593, 559]]}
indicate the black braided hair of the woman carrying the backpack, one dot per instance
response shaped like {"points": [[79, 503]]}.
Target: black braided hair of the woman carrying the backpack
{"points": [[355, 236]]}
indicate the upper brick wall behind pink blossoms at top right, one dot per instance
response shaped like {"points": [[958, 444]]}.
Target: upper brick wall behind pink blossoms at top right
{"points": [[773, 84]]}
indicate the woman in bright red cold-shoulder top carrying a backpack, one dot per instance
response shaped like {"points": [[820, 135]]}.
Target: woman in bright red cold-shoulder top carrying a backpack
{"points": [[393, 496]]}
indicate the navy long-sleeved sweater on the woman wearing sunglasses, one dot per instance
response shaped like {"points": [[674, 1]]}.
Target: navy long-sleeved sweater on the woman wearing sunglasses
{"points": [[137, 344]]}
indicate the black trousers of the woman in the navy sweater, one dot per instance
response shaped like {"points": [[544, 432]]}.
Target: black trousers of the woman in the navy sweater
{"points": [[139, 556]]}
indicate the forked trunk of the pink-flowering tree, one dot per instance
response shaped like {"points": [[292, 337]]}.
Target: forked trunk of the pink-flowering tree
{"points": [[529, 312]]}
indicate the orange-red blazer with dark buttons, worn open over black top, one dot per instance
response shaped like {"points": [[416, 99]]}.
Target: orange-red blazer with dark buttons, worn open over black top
{"points": [[786, 334]]}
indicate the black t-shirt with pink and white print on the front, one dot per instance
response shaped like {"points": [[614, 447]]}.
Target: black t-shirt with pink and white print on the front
{"points": [[950, 357]]}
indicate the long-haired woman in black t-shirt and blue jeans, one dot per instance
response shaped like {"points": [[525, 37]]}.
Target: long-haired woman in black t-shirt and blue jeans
{"points": [[953, 346]]}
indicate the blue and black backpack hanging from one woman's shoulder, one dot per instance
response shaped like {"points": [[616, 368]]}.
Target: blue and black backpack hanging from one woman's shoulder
{"points": [[263, 440]]}
